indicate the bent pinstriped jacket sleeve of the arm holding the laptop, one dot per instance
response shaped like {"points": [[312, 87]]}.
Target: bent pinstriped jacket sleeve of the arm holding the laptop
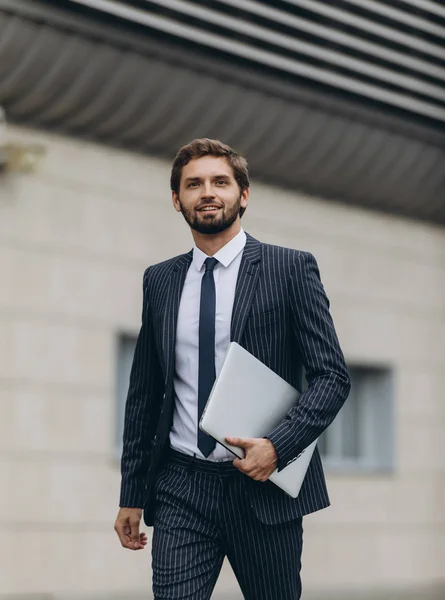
{"points": [[326, 372]]}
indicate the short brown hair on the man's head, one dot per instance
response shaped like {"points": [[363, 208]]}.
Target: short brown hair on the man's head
{"points": [[207, 147]]}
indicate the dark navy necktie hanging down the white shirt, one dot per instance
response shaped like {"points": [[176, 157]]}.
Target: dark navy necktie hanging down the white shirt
{"points": [[207, 373]]}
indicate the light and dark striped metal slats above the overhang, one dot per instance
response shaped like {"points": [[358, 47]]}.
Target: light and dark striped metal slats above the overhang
{"points": [[368, 48]]}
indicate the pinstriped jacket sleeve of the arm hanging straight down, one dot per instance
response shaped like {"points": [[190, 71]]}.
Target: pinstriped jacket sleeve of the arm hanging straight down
{"points": [[139, 422]]}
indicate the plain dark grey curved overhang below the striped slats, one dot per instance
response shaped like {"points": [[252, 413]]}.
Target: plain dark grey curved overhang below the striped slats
{"points": [[99, 79]]}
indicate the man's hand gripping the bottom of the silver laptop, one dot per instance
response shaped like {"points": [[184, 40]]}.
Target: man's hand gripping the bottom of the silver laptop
{"points": [[260, 457]]}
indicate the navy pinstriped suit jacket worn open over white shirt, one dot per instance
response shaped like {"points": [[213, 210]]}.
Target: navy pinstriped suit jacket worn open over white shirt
{"points": [[281, 316]]}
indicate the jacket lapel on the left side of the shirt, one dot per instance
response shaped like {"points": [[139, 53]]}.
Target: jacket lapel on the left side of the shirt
{"points": [[177, 278]]}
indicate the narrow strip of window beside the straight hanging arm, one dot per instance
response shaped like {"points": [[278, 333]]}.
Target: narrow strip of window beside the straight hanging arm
{"points": [[126, 345]]}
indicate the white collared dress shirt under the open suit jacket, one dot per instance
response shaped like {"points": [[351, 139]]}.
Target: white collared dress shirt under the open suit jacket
{"points": [[184, 432]]}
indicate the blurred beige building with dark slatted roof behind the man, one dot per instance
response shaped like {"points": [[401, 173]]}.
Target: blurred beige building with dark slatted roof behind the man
{"points": [[340, 109]]}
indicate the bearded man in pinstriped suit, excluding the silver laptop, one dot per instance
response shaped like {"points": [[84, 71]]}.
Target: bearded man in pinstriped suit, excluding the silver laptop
{"points": [[203, 504]]}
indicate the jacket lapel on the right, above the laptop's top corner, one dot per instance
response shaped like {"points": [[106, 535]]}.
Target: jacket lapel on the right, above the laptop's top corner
{"points": [[245, 287]]}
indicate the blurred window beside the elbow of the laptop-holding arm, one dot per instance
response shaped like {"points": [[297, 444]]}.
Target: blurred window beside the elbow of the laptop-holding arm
{"points": [[362, 435]]}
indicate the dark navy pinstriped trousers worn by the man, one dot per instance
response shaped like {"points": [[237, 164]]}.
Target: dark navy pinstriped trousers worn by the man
{"points": [[203, 514]]}
